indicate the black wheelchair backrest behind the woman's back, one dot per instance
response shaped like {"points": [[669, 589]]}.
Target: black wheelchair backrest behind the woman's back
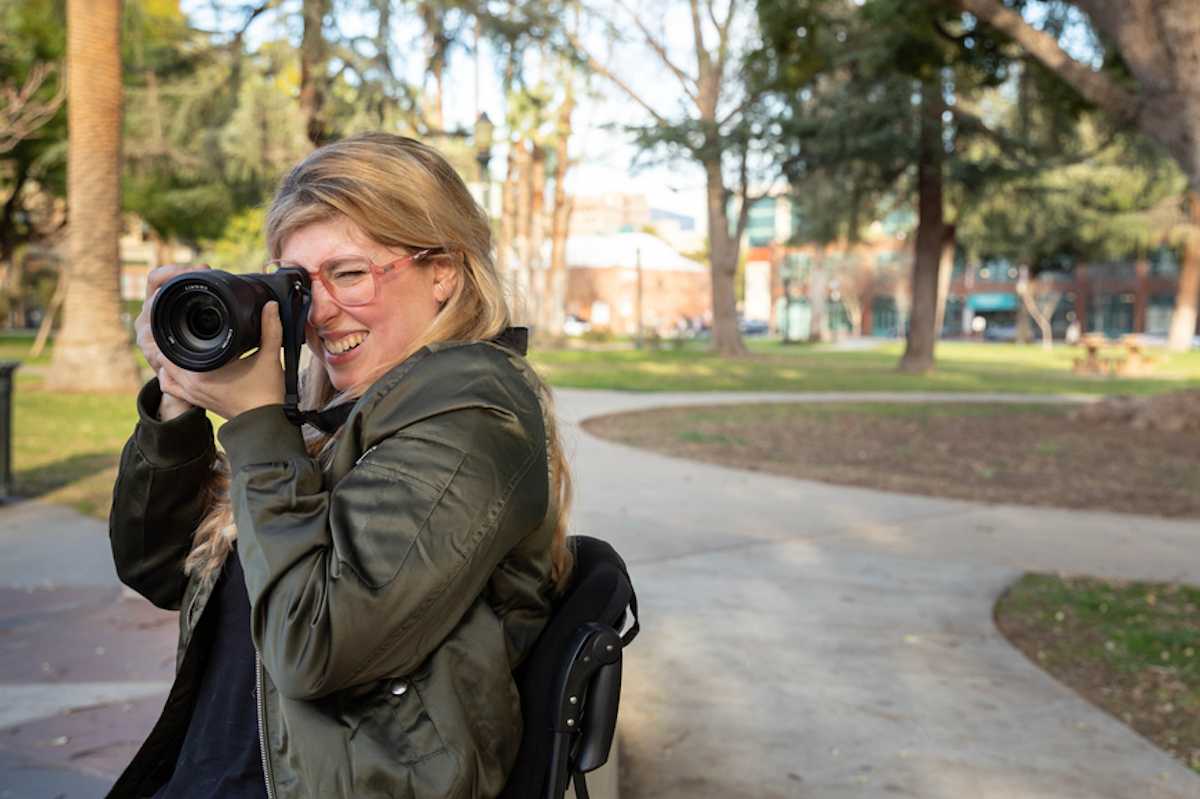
{"points": [[571, 682]]}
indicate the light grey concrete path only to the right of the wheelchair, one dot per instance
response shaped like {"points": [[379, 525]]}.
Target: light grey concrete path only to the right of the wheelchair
{"points": [[806, 640]]}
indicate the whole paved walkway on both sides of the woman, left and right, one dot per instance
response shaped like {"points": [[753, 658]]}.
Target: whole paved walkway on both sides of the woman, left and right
{"points": [[800, 640]]}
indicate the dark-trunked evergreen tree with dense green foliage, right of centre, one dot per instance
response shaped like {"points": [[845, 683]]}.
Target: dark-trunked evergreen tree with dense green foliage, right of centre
{"points": [[878, 115]]}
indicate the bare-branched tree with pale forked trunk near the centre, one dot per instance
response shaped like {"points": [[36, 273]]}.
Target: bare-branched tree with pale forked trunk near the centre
{"points": [[722, 131]]}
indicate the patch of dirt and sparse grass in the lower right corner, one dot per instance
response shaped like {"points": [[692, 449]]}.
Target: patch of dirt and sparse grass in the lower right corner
{"points": [[1130, 648]]}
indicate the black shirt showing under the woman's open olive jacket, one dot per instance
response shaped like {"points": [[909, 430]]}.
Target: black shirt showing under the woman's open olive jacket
{"points": [[221, 755]]}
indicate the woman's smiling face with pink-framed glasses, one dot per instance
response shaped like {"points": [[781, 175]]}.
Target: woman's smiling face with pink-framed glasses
{"points": [[359, 344]]}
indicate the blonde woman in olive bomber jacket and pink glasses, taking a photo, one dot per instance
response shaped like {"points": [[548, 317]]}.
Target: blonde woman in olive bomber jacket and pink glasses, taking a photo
{"points": [[352, 605]]}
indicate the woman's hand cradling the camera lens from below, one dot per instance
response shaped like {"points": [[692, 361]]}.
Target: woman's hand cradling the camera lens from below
{"points": [[241, 386]]}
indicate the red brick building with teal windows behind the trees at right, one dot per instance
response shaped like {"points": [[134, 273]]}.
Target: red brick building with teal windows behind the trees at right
{"points": [[868, 285]]}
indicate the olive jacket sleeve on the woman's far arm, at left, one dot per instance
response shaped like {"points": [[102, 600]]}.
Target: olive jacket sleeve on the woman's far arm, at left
{"points": [[158, 501]]}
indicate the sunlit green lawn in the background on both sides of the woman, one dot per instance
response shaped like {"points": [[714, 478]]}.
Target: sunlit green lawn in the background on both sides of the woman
{"points": [[65, 447]]}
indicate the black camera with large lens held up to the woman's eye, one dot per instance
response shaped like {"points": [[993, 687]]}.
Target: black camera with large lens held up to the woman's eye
{"points": [[205, 320]]}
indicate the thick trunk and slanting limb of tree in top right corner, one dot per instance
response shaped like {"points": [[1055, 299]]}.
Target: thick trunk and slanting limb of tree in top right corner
{"points": [[1159, 46]]}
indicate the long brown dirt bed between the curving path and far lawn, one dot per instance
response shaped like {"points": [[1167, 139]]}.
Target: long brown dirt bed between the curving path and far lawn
{"points": [[1030, 455]]}
